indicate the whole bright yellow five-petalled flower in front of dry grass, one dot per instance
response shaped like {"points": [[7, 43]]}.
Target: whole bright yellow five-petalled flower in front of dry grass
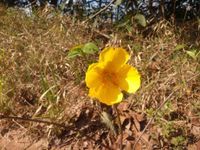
{"points": [[108, 77]]}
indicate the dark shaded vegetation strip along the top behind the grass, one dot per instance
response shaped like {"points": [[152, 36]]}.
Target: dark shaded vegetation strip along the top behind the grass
{"points": [[117, 9]]}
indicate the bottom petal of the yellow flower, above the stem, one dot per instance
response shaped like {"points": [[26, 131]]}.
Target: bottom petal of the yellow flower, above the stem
{"points": [[107, 94]]}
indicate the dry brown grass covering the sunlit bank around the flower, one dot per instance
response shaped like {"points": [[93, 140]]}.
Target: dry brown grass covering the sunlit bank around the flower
{"points": [[38, 81]]}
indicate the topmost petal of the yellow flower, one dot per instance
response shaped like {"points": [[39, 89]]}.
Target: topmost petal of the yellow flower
{"points": [[114, 58]]}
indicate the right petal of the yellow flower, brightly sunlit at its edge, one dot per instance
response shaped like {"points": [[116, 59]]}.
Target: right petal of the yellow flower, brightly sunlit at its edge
{"points": [[129, 79]]}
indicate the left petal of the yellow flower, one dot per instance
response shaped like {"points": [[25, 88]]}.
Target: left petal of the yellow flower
{"points": [[93, 75]]}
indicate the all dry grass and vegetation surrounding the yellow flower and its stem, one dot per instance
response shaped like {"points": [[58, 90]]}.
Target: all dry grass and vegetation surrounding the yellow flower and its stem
{"points": [[46, 47]]}
